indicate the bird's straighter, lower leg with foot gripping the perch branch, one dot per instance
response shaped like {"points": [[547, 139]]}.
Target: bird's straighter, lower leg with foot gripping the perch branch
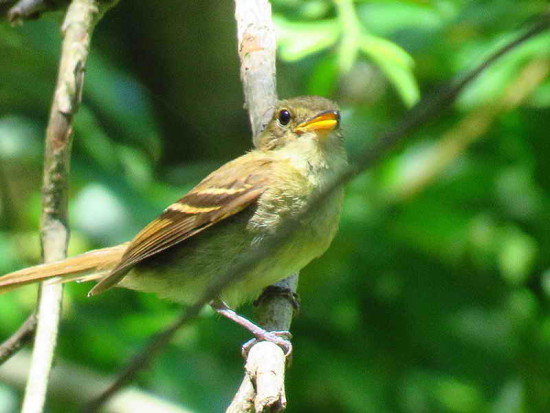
{"points": [[281, 338]]}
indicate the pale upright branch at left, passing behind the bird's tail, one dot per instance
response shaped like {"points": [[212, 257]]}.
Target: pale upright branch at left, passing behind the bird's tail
{"points": [[80, 19]]}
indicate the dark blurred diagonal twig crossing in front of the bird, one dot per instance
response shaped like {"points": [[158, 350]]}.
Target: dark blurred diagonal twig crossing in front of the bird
{"points": [[422, 113]]}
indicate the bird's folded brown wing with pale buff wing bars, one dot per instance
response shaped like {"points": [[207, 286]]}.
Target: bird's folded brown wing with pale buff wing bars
{"points": [[223, 193]]}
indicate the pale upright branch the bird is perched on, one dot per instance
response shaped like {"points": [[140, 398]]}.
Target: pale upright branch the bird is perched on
{"points": [[262, 387]]}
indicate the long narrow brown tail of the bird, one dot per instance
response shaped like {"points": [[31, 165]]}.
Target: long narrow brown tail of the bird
{"points": [[92, 265]]}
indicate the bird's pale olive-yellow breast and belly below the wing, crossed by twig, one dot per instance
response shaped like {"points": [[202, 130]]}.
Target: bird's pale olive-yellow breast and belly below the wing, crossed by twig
{"points": [[183, 272]]}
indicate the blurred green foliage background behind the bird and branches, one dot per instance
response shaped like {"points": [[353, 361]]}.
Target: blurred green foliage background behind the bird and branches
{"points": [[434, 296]]}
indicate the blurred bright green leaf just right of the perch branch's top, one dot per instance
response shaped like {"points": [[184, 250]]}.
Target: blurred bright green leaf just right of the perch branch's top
{"points": [[299, 40]]}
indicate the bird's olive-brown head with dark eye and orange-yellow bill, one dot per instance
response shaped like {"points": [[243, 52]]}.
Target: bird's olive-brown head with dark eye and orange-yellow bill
{"points": [[312, 120]]}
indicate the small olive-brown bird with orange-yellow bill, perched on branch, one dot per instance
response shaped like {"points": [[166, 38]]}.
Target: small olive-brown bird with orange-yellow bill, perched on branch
{"points": [[235, 208]]}
